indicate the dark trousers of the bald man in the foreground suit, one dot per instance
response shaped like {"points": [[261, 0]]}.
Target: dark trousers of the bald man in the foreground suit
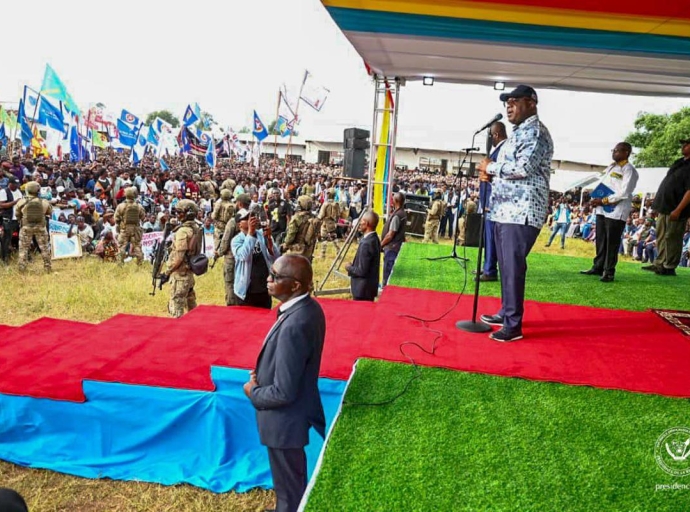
{"points": [[289, 471]]}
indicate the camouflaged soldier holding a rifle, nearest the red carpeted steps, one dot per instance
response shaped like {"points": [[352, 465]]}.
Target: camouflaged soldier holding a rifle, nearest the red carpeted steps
{"points": [[186, 243]]}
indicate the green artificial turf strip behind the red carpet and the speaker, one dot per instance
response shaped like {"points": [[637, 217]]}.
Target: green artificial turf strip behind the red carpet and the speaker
{"points": [[549, 279]]}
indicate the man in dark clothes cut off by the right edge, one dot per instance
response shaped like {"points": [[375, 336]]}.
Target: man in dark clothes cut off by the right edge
{"points": [[672, 201]]}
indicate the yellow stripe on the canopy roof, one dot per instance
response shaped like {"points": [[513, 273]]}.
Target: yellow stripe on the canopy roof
{"points": [[527, 15]]}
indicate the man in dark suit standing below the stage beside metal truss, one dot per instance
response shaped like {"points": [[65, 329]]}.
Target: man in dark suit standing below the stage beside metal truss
{"points": [[364, 270]]}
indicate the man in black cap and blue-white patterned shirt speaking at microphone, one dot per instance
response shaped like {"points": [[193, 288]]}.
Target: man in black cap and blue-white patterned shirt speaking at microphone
{"points": [[519, 202]]}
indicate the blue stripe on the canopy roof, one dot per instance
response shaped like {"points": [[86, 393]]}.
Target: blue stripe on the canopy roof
{"points": [[358, 20]]}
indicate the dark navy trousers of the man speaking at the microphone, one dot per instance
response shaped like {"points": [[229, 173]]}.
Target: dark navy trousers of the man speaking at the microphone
{"points": [[513, 244]]}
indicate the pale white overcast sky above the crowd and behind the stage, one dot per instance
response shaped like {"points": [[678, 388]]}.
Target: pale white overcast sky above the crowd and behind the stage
{"points": [[231, 58]]}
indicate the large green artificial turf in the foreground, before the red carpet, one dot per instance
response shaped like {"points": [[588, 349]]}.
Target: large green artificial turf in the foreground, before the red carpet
{"points": [[470, 442]]}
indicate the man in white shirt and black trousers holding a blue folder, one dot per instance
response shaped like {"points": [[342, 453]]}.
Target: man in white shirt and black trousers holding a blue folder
{"points": [[613, 201]]}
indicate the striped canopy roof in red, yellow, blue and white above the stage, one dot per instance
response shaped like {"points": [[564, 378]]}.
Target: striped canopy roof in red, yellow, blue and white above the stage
{"points": [[615, 46]]}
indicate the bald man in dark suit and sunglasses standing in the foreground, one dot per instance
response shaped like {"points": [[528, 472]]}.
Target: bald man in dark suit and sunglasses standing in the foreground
{"points": [[283, 388]]}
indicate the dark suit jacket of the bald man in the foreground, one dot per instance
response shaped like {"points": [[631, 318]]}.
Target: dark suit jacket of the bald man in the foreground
{"points": [[287, 399]]}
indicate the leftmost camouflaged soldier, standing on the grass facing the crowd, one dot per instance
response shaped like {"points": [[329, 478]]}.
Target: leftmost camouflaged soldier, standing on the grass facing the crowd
{"points": [[31, 214]]}
